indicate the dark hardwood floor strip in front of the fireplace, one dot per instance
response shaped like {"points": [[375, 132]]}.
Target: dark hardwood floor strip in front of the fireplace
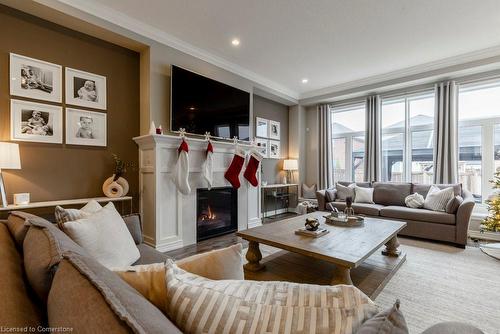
{"points": [[219, 242]]}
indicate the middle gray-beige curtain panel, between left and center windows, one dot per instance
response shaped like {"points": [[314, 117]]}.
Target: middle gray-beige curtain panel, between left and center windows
{"points": [[372, 161]]}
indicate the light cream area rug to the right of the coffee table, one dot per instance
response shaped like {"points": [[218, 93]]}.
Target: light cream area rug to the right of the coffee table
{"points": [[442, 283]]}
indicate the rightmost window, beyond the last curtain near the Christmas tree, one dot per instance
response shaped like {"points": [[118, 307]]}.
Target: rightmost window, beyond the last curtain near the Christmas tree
{"points": [[478, 136]]}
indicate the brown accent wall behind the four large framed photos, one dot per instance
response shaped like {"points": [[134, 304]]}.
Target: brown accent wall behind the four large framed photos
{"points": [[60, 171]]}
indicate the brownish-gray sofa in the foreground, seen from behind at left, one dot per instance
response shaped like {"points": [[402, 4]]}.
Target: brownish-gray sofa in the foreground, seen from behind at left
{"points": [[50, 281]]}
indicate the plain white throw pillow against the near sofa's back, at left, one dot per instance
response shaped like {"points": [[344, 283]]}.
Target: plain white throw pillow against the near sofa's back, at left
{"points": [[104, 236]]}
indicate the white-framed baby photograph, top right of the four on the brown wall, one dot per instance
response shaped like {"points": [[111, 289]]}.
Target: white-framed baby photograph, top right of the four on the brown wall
{"points": [[85, 89]]}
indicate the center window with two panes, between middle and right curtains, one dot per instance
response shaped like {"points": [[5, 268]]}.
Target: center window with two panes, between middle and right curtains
{"points": [[408, 138]]}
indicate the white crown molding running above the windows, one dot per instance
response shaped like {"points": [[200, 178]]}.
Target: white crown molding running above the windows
{"points": [[464, 61]]}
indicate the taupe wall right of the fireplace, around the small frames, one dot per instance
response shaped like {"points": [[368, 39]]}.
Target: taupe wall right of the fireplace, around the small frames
{"points": [[272, 169]]}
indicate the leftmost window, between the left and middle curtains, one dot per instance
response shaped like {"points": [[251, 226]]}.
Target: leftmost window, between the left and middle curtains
{"points": [[348, 142]]}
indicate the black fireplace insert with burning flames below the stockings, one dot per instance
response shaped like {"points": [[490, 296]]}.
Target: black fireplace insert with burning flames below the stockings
{"points": [[216, 212]]}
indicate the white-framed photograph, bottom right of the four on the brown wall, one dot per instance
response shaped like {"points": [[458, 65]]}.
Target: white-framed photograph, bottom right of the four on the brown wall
{"points": [[85, 127]]}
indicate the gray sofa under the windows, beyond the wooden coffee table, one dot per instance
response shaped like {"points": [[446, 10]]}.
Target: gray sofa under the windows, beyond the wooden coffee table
{"points": [[389, 198]]}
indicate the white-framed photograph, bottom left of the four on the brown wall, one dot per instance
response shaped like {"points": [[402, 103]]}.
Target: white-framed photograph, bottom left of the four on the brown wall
{"points": [[35, 122]]}
